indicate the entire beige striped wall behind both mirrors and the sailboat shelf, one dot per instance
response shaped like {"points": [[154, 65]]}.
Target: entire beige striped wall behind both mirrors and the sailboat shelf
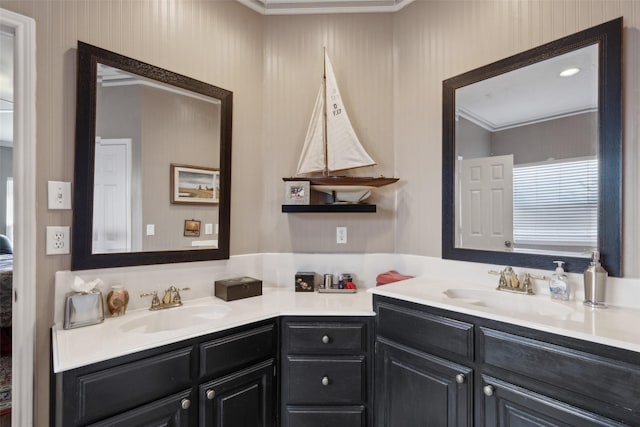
{"points": [[390, 68]]}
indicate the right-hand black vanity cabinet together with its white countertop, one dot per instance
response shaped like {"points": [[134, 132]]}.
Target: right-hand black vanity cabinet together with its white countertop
{"points": [[481, 357]]}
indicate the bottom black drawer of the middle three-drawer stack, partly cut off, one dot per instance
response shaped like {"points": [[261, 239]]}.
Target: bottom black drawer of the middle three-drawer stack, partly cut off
{"points": [[326, 416]]}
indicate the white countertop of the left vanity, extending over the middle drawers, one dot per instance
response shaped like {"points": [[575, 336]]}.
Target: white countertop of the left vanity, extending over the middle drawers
{"points": [[78, 347]]}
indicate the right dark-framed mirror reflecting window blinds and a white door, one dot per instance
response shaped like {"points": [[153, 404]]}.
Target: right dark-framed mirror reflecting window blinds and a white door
{"points": [[532, 159]]}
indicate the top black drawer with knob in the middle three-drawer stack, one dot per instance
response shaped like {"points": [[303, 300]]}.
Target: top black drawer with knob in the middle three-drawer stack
{"points": [[324, 337]]}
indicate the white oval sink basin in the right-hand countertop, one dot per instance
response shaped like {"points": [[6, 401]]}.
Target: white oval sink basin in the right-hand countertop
{"points": [[510, 302]]}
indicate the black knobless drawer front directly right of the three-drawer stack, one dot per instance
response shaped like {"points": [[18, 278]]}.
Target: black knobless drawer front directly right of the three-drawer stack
{"points": [[424, 331]]}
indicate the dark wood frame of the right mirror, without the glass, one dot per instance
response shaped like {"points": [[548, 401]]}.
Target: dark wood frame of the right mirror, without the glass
{"points": [[608, 36]]}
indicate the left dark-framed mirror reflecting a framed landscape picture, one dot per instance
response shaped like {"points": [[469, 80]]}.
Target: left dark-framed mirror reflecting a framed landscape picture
{"points": [[152, 166]]}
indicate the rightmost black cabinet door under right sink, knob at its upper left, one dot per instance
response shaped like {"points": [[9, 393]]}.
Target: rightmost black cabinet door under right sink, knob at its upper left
{"points": [[509, 405]]}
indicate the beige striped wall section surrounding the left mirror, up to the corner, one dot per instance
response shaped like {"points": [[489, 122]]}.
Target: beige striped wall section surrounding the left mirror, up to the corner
{"points": [[218, 42]]}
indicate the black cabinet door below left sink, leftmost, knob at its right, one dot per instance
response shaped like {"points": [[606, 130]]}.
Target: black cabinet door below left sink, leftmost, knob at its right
{"points": [[172, 411]]}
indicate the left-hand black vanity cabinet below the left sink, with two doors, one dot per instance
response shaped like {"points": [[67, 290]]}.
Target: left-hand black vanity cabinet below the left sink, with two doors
{"points": [[167, 386]]}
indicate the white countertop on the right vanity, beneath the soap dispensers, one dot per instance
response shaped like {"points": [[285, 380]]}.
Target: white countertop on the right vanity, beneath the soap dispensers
{"points": [[614, 326]]}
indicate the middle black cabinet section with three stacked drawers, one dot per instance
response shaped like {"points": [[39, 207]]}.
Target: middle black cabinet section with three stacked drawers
{"points": [[326, 371]]}
